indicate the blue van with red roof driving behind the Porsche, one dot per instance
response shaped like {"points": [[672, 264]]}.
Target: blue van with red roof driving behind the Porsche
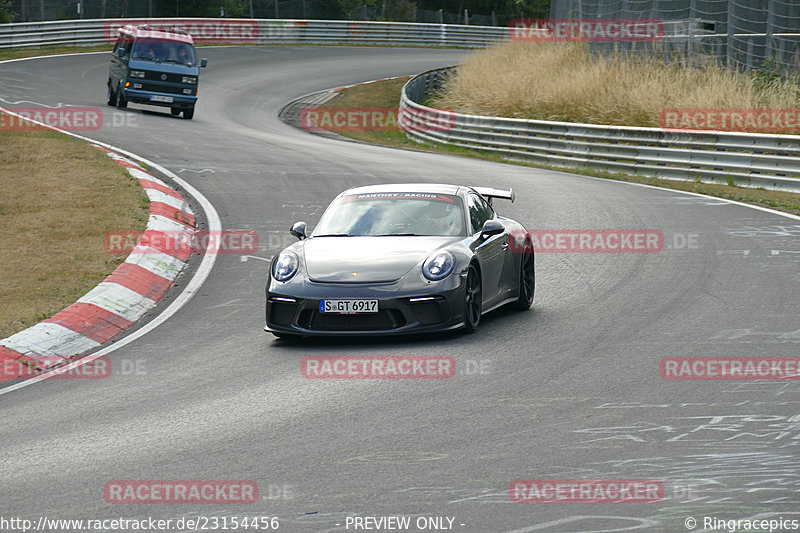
{"points": [[155, 66]]}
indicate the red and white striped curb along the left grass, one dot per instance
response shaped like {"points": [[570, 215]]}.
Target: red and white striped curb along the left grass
{"points": [[125, 296]]}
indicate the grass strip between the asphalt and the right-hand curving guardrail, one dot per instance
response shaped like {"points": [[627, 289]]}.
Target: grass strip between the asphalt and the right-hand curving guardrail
{"points": [[386, 94]]}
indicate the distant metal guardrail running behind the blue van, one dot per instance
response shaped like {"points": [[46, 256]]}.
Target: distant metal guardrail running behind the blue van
{"points": [[257, 31]]}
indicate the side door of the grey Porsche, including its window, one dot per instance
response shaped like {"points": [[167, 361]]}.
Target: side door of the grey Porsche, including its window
{"points": [[491, 252]]}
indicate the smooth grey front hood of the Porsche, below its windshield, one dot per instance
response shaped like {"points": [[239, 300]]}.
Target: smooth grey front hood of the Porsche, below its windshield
{"points": [[367, 259]]}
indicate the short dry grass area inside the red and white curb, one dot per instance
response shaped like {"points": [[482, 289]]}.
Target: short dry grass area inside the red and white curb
{"points": [[60, 196]]}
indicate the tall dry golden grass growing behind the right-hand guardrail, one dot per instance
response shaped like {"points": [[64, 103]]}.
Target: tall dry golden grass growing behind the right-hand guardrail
{"points": [[564, 82]]}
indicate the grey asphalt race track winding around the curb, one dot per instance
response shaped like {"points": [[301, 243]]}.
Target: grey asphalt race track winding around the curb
{"points": [[569, 390]]}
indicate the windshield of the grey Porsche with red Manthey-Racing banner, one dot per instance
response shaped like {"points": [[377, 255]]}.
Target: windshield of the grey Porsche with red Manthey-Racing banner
{"points": [[386, 214]]}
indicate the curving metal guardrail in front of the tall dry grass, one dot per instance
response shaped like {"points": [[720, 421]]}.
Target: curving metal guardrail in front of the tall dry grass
{"points": [[744, 159]]}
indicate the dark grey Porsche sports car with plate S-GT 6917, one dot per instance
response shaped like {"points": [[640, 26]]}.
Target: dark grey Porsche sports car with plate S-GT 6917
{"points": [[402, 258]]}
